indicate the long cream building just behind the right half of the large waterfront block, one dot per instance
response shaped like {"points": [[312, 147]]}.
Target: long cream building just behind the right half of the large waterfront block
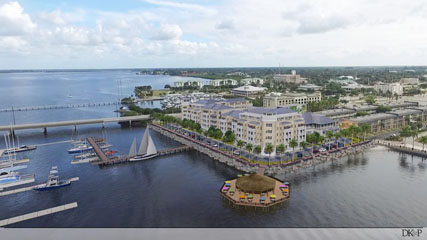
{"points": [[275, 99]]}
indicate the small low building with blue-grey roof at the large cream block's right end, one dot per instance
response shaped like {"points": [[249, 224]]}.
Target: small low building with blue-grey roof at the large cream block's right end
{"points": [[318, 123]]}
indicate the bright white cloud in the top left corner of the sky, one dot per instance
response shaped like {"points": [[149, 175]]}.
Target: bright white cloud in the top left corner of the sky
{"points": [[13, 20]]}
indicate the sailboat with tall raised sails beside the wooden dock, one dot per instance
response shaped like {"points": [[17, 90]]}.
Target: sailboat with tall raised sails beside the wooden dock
{"points": [[146, 150]]}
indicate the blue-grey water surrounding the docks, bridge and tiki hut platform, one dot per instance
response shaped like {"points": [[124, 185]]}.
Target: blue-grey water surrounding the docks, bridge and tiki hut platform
{"points": [[378, 188]]}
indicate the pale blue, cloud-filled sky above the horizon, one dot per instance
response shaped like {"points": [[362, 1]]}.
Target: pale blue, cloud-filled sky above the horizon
{"points": [[55, 34]]}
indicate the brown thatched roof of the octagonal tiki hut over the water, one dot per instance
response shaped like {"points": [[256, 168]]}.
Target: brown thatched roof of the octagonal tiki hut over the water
{"points": [[255, 183]]}
